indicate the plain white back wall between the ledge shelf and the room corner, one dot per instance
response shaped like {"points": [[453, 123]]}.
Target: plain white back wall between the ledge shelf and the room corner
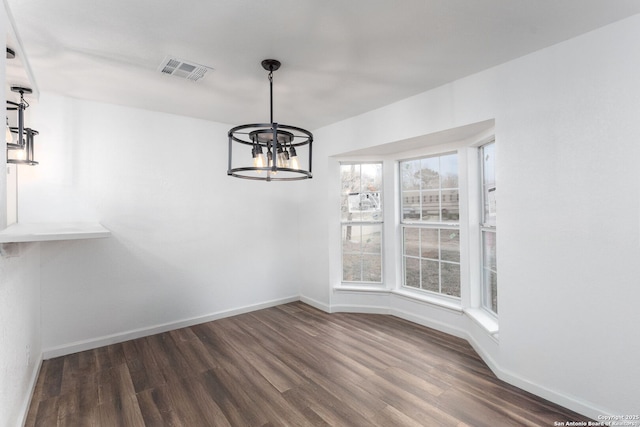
{"points": [[188, 242]]}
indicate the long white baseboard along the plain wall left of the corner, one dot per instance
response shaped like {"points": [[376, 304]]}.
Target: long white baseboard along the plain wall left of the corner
{"points": [[75, 347]]}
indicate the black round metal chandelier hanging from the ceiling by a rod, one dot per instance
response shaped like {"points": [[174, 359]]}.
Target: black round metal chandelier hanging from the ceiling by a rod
{"points": [[270, 151]]}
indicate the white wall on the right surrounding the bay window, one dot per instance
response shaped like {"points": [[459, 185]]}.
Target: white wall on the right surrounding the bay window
{"points": [[567, 132]]}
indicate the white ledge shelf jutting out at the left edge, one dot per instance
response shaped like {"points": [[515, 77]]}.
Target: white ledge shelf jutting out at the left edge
{"points": [[43, 232]]}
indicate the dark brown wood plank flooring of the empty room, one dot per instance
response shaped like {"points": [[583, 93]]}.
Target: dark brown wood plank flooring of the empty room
{"points": [[287, 365]]}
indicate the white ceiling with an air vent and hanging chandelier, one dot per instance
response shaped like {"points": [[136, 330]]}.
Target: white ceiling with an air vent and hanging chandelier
{"points": [[339, 58]]}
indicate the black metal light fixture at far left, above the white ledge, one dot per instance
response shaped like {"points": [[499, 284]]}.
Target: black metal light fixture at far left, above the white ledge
{"points": [[19, 139]]}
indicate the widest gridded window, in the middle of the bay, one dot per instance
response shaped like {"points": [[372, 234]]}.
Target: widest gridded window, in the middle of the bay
{"points": [[430, 224]]}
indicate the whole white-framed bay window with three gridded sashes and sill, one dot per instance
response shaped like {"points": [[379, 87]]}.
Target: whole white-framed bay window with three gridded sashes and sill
{"points": [[442, 236]]}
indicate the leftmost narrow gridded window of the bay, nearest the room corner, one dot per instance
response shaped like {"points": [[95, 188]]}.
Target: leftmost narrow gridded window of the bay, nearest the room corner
{"points": [[361, 222]]}
